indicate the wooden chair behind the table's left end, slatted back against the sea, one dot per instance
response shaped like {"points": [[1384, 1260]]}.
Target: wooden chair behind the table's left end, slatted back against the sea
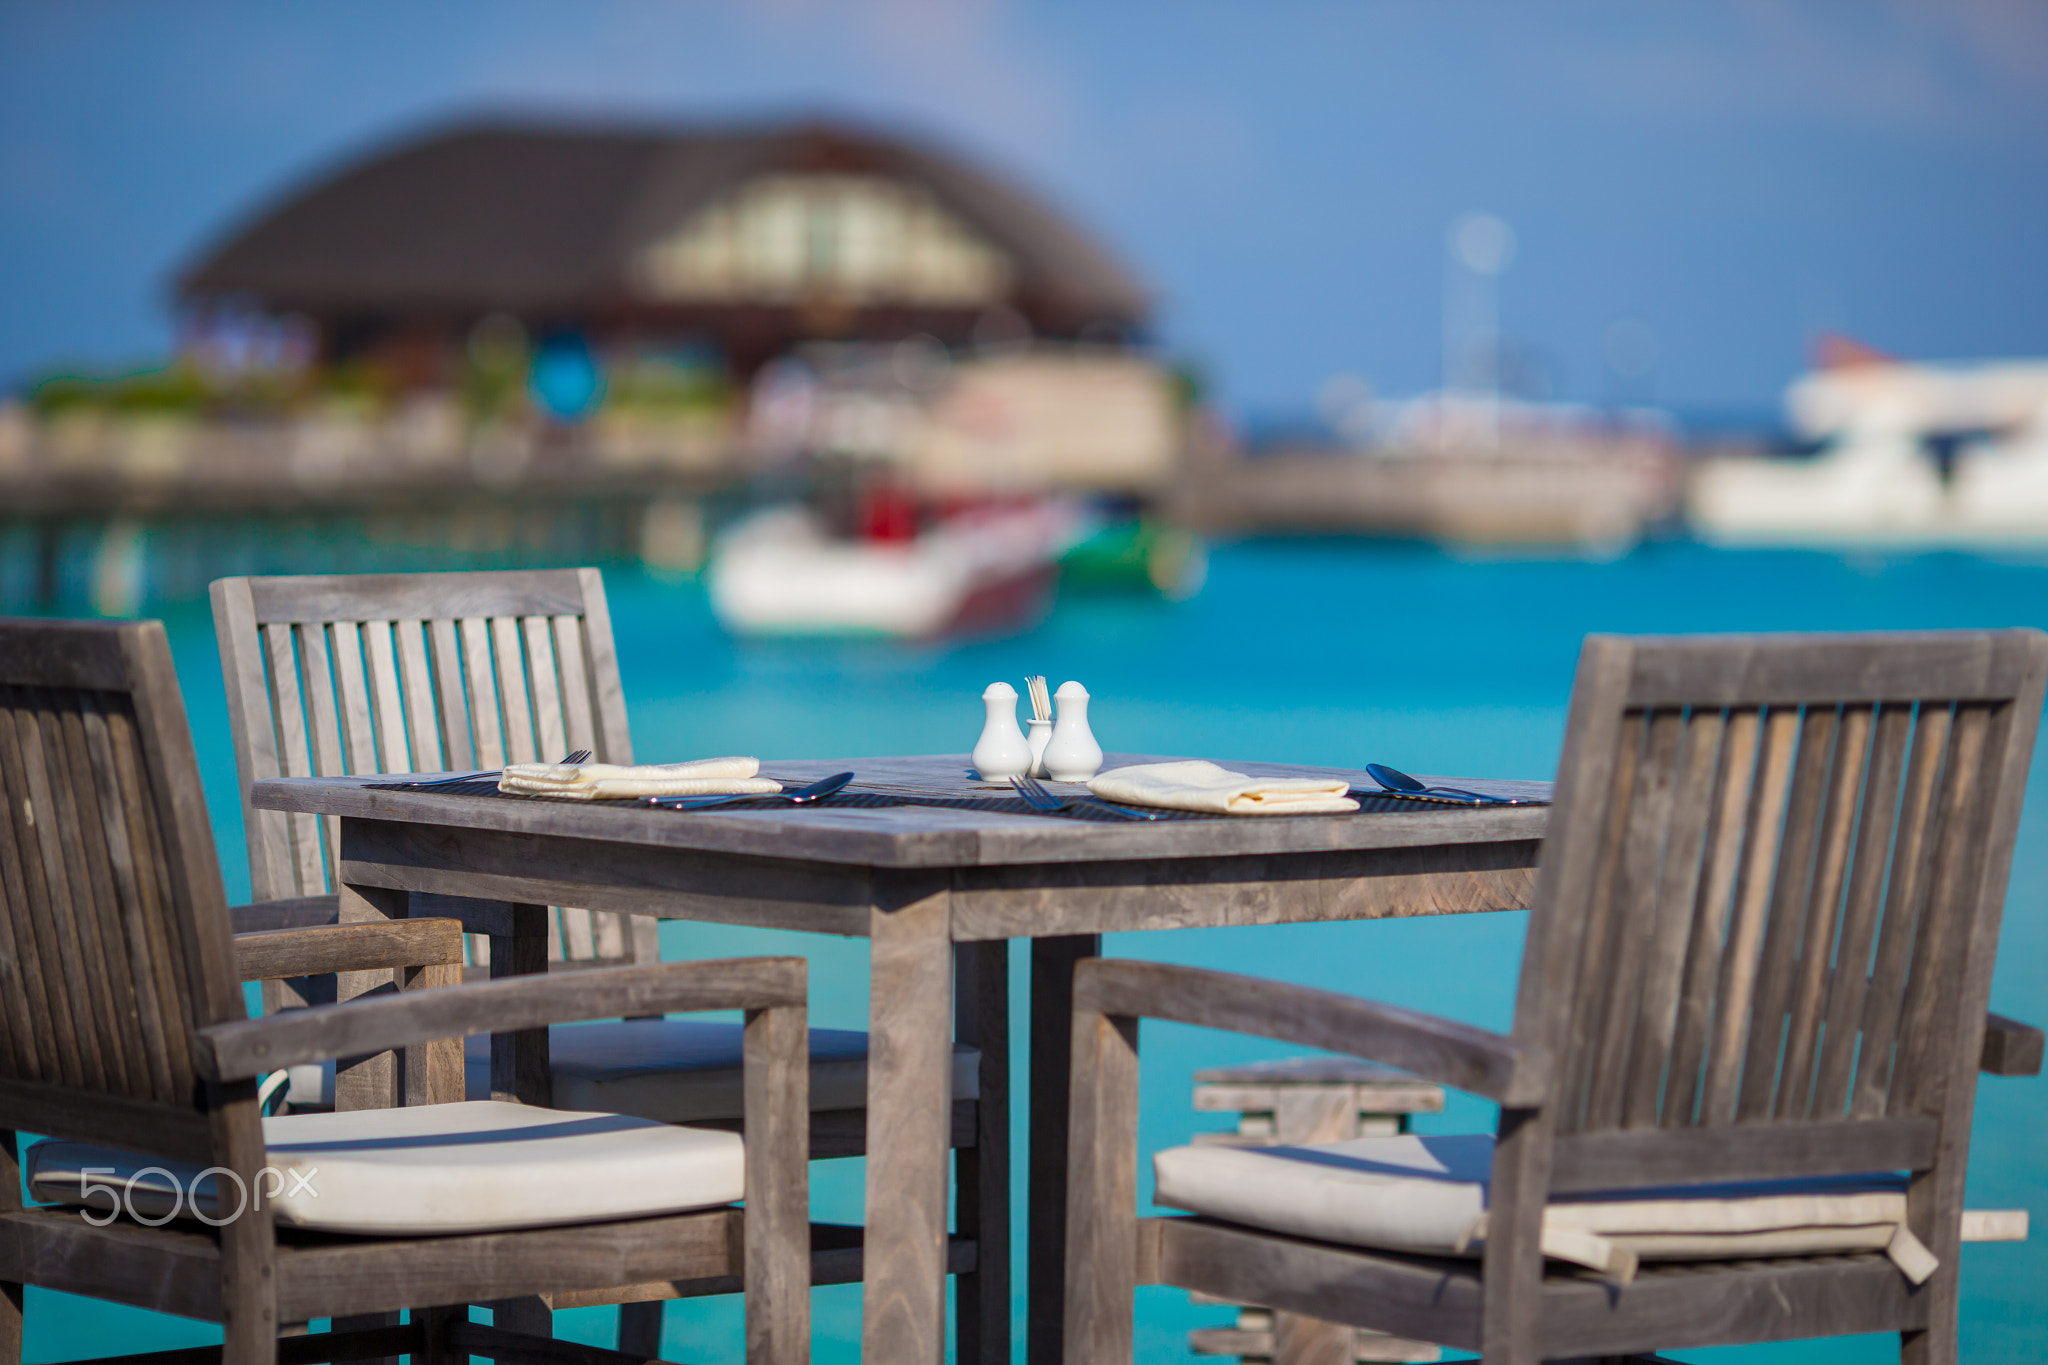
{"points": [[429, 672]]}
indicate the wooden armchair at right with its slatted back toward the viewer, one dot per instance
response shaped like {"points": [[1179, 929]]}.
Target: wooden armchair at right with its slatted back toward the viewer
{"points": [[1760, 953]]}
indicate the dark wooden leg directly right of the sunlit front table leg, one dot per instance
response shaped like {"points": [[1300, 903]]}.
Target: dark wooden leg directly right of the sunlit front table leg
{"points": [[982, 1200]]}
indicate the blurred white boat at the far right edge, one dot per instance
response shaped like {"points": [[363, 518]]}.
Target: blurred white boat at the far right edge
{"points": [[1914, 455]]}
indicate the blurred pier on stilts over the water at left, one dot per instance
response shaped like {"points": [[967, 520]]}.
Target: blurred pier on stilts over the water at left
{"points": [[112, 517]]}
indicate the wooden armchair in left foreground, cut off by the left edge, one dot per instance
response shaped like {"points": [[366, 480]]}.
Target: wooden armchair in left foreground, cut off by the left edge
{"points": [[122, 1026]]}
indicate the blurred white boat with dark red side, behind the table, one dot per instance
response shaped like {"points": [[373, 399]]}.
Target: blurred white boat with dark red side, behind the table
{"points": [[978, 572]]}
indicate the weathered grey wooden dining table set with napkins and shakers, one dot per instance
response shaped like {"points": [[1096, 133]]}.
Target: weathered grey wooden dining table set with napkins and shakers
{"points": [[939, 871]]}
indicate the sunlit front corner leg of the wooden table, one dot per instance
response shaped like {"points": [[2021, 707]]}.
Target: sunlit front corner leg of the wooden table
{"points": [[910, 1045]]}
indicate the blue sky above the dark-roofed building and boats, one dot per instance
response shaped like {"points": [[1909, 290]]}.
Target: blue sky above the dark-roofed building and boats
{"points": [[1734, 175]]}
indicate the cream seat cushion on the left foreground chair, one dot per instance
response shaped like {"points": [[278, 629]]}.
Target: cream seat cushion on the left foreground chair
{"points": [[431, 1170]]}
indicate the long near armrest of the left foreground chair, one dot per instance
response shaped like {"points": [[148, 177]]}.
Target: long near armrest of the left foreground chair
{"points": [[384, 1022]]}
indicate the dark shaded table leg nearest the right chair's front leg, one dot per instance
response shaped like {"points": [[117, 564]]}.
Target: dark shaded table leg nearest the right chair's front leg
{"points": [[1052, 1045]]}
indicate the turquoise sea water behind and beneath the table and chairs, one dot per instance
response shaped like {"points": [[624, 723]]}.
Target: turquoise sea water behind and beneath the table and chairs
{"points": [[1312, 652]]}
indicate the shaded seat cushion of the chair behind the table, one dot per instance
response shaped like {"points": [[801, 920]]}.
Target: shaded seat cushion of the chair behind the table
{"points": [[675, 1071]]}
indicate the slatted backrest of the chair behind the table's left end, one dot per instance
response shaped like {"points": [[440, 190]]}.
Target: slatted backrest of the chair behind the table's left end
{"points": [[411, 674]]}
